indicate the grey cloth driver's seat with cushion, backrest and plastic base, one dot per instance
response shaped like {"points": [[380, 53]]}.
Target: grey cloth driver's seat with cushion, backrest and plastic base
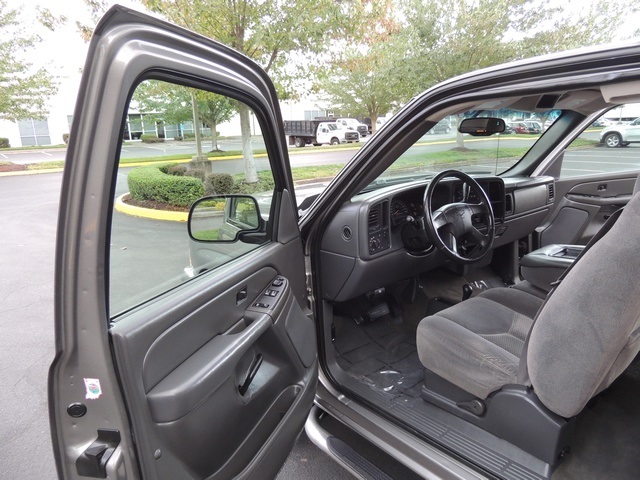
{"points": [[551, 355]]}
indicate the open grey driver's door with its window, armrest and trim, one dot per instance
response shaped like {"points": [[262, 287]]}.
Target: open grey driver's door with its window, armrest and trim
{"points": [[160, 373]]}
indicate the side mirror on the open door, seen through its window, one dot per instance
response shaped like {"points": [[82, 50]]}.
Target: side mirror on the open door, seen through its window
{"points": [[223, 218]]}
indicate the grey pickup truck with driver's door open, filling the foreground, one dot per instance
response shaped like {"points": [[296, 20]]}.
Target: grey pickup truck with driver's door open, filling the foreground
{"points": [[396, 312]]}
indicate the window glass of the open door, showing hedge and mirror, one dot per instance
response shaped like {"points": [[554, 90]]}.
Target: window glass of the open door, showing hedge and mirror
{"points": [[184, 150]]}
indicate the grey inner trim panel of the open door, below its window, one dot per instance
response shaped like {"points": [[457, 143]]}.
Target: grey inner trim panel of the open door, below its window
{"points": [[183, 386]]}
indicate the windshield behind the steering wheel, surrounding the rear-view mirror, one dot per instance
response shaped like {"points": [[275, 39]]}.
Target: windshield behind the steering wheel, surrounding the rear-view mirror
{"points": [[442, 147]]}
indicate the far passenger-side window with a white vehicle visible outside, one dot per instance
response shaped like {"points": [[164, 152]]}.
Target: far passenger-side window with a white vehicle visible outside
{"points": [[610, 145]]}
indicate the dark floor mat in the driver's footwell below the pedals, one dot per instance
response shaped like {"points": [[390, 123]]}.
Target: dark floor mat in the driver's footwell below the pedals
{"points": [[381, 355]]}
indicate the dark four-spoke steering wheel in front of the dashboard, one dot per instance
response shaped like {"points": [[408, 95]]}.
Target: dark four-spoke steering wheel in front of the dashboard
{"points": [[451, 227]]}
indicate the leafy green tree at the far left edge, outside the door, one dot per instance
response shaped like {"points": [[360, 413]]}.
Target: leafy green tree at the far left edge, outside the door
{"points": [[23, 91]]}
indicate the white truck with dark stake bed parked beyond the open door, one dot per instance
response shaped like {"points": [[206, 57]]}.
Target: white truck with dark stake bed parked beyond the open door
{"points": [[317, 132]]}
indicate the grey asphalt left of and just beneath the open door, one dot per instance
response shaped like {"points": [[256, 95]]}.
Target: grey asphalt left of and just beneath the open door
{"points": [[29, 210]]}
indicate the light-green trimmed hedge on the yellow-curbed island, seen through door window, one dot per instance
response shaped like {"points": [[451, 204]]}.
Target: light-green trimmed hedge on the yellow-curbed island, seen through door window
{"points": [[150, 183]]}
